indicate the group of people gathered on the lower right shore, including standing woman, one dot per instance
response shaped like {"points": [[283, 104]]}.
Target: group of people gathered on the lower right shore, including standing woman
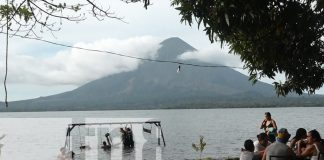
{"points": [[274, 144]]}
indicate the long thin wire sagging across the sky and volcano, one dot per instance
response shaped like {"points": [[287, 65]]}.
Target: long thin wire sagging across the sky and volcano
{"points": [[123, 55]]}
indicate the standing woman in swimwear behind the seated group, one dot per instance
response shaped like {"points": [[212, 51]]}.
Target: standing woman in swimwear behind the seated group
{"points": [[270, 127]]}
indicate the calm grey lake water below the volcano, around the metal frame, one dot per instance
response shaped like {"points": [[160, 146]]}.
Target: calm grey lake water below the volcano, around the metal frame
{"points": [[40, 135]]}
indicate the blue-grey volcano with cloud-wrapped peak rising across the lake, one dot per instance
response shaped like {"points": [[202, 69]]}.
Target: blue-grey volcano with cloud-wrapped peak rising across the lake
{"points": [[156, 85]]}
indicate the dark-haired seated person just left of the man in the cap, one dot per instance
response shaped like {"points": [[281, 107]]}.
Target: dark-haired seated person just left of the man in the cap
{"points": [[260, 145]]}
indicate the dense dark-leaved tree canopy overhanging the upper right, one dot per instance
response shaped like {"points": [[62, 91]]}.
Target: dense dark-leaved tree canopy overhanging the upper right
{"points": [[271, 37]]}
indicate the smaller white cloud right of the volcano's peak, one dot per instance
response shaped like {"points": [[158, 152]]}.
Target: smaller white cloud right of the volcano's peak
{"points": [[213, 55]]}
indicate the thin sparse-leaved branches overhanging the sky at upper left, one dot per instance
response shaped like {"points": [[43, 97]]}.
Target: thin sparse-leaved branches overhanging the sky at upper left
{"points": [[33, 16]]}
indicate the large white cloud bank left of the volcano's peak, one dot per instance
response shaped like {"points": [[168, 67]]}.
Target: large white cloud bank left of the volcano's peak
{"points": [[76, 67]]}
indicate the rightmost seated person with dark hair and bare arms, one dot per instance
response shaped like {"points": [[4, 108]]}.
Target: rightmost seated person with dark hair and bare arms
{"points": [[315, 147]]}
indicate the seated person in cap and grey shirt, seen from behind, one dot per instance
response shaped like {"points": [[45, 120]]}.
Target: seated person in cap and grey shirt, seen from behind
{"points": [[279, 150]]}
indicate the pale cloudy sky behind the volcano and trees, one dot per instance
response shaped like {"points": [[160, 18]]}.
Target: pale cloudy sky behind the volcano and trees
{"points": [[41, 69]]}
